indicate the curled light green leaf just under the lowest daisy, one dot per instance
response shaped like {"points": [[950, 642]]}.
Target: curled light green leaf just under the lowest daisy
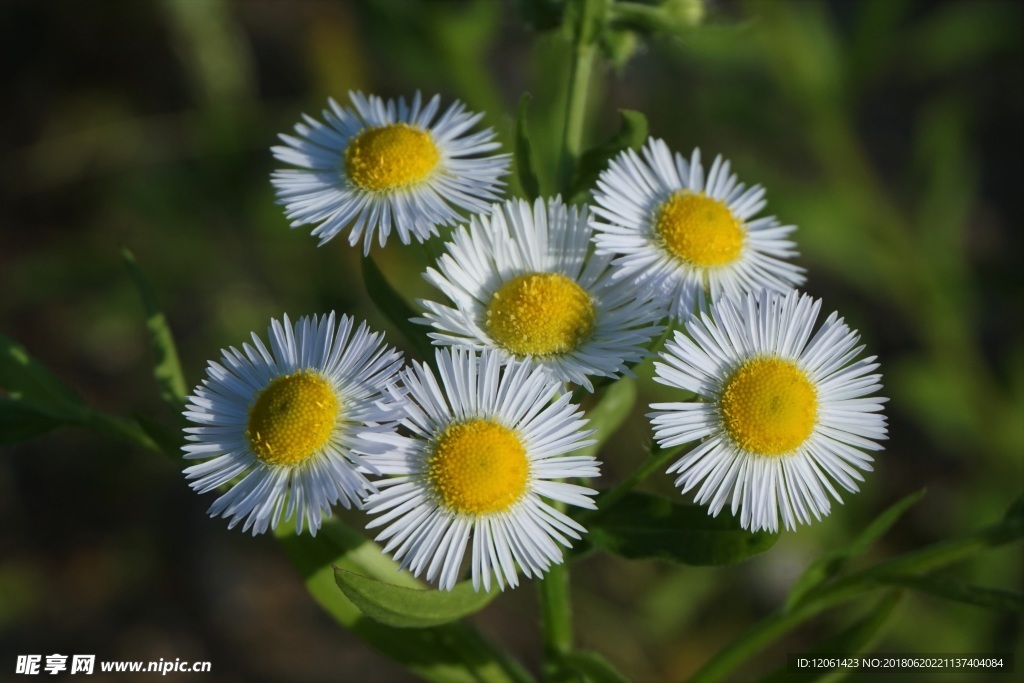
{"points": [[411, 608]]}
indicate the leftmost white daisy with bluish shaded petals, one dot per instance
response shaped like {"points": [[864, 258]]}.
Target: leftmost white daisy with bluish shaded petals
{"points": [[286, 424]]}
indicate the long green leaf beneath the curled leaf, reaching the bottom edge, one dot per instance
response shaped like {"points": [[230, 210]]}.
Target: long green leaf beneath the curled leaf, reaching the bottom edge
{"points": [[452, 653]]}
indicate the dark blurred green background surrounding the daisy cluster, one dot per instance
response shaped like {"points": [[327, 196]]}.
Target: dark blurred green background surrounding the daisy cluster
{"points": [[890, 132]]}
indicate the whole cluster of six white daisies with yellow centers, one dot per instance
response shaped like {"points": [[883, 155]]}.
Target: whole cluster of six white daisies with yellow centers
{"points": [[474, 453]]}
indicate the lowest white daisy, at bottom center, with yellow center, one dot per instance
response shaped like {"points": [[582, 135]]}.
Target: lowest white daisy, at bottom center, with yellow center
{"points": [[485, 446]]}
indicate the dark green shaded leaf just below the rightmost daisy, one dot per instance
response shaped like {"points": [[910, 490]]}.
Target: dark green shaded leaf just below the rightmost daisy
{"points": [[643, 527]]}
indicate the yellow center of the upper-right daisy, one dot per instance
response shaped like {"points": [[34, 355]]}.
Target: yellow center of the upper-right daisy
{"points": [[699, 230]]}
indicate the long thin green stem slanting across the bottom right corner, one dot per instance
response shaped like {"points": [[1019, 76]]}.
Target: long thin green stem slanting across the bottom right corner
{"points": [[824, 597]]}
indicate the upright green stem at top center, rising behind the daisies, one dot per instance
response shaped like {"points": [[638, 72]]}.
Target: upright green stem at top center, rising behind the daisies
{"points": [[589, 22]]}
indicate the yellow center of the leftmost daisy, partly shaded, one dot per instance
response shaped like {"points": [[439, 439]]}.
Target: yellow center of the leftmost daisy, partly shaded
{"points": [[292, 418]]}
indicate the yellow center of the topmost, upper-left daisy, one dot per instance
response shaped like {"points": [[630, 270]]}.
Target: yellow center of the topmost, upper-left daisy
{"points": [[391, 157]]}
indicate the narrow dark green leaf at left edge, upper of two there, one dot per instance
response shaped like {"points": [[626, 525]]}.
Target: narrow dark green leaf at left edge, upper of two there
{"points": [[23, 376]]}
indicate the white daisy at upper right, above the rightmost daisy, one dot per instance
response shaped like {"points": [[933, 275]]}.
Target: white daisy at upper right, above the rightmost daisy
{"points": [[691, 240]]}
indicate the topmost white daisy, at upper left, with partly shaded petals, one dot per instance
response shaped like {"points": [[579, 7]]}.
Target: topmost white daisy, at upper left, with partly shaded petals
{"points": [[386, 164]]}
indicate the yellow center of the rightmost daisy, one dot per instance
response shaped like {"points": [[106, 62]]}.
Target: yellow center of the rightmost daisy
{"points": [[770, 406]]}
